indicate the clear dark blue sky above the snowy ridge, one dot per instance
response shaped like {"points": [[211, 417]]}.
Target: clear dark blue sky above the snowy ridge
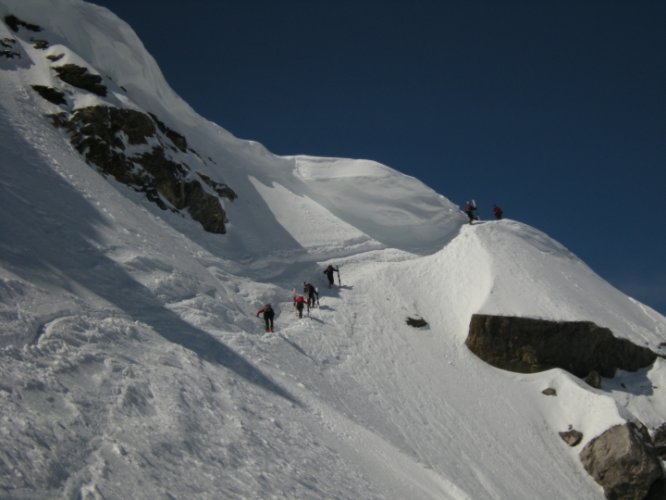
{"points": [[556, 110]]}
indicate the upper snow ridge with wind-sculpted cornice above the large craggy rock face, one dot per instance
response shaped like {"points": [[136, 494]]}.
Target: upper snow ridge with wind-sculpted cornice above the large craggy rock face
{"points": [[279, 196]]}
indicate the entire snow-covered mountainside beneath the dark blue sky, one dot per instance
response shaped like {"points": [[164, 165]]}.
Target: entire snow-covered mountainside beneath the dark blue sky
{"points": [[132, 363]]}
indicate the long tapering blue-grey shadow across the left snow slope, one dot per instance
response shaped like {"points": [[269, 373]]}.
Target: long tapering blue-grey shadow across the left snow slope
{"points": [[49, 234]]}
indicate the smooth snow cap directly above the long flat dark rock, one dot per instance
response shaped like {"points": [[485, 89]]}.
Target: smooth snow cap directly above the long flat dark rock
{"points": [[555, 284]]}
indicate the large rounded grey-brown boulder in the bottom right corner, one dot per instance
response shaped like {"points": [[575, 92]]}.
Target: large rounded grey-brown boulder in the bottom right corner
{"points": [[622, 462]]}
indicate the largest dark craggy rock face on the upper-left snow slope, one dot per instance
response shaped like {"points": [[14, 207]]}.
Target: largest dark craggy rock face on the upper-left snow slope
{"points": [[103, 133]]}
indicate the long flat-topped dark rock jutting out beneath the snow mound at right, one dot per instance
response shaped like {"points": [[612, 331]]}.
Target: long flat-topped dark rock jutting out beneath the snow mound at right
{"points": [[530, 345]]}
